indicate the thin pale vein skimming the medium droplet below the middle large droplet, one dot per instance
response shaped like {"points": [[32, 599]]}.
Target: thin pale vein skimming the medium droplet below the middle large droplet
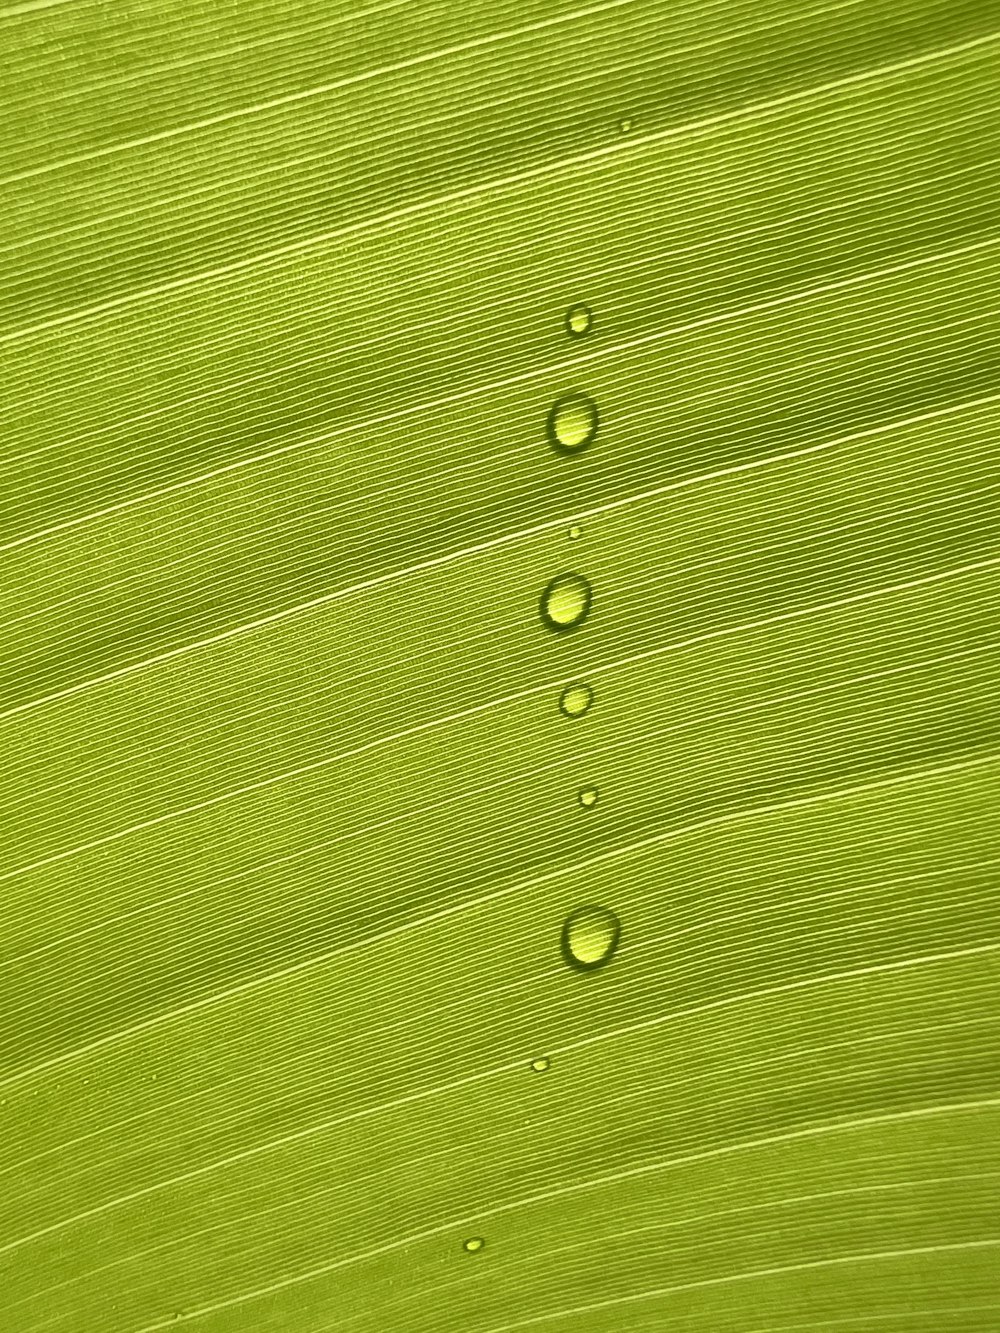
{"points": [[289, 775]]}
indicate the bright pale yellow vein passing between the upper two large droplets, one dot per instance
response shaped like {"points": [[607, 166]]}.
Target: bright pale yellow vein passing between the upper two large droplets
{"points": [[494, 543]]}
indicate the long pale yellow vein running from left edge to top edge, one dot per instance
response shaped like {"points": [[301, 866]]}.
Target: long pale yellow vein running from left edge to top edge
{"points": [[349, 82]]}
